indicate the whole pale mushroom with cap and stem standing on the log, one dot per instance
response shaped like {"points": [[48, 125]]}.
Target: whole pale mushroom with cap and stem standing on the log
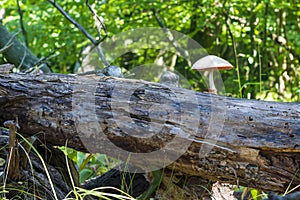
{"points": [[210, 63]]}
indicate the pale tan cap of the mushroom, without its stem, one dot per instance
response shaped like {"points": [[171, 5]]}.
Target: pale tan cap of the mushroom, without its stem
{"points": [[211, 62]]}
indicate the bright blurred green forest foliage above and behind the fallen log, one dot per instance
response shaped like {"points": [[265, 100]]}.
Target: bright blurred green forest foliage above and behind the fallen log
{"points": [[266, 34]]}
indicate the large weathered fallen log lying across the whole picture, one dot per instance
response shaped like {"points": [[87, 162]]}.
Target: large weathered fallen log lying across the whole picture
{"points": [[246, 142]]}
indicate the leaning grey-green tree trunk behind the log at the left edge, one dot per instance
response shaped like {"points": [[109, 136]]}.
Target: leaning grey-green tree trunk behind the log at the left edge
{"points": [[17, 53]]}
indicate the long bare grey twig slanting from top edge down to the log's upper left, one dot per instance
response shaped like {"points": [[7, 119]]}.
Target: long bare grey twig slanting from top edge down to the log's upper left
{"points": [[95, 42]]}
